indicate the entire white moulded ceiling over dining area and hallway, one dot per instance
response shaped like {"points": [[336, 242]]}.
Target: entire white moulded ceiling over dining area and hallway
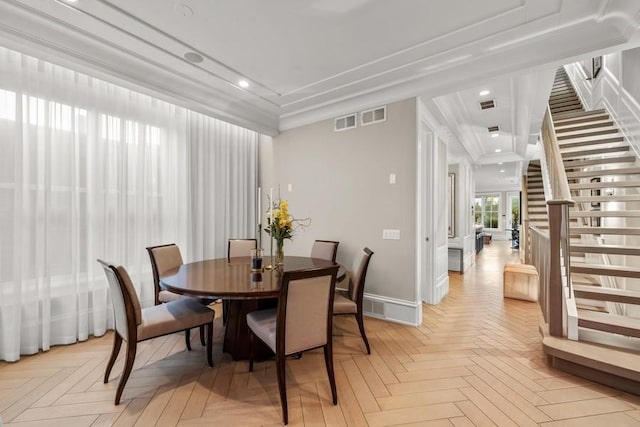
{"points": [[310, 60]]}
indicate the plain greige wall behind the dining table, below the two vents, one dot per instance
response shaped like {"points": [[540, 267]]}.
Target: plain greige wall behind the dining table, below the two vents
{"points": [[341, 181]]}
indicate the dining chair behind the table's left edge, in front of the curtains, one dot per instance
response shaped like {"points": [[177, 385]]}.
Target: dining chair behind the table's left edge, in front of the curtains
{"points": [[164, 258]]}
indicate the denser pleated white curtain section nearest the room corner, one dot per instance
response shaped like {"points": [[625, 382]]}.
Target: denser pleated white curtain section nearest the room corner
{"points": [[223, 193]]}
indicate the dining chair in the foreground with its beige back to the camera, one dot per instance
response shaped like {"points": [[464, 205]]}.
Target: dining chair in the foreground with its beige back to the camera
{"points": [[302, 321]]}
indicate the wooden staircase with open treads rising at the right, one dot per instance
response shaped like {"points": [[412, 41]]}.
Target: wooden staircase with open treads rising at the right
{"points": [[604, 178]]}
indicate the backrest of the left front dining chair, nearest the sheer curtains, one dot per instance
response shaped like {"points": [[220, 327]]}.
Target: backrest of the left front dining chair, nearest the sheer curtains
{"points": [[126, 305]]}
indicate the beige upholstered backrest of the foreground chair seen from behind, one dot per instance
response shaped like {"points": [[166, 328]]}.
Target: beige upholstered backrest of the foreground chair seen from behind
{"points": [[305, 309]]}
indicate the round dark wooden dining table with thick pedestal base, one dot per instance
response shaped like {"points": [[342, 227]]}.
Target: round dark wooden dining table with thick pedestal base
{"points": [[233, 280]]}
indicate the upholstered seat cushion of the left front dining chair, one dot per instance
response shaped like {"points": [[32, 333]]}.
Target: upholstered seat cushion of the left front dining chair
{"points": [[172, 317]]}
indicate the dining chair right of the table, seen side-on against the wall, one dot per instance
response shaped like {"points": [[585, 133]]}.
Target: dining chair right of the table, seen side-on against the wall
{"points": [[349, 301]]}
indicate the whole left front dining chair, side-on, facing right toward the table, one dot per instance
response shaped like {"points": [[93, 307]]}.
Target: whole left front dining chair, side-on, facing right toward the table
{"points": [[134, 324]]}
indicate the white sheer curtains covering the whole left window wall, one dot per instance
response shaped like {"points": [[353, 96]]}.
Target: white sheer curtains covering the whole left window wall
{"points": [[91, 170]]}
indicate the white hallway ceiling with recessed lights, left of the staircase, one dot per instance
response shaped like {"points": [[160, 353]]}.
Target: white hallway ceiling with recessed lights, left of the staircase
{"points": [[518, 105]]}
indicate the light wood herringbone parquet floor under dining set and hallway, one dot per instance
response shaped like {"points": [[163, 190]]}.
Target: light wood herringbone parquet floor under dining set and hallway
{"points": [[475, 360]]}
